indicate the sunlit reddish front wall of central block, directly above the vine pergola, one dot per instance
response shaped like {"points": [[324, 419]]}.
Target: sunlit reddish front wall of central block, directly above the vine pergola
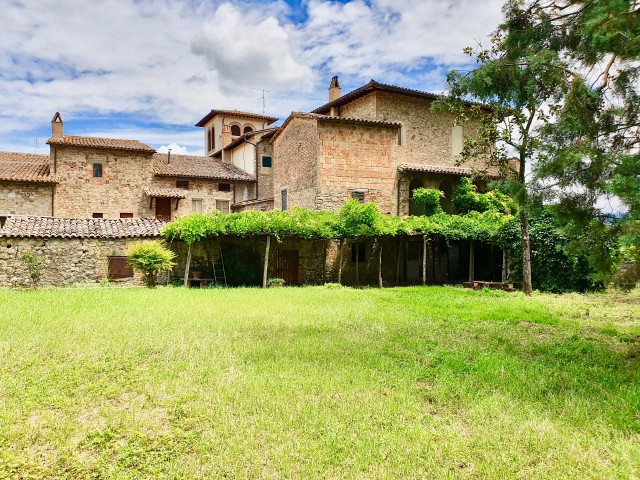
{"points": [[356, 157]]}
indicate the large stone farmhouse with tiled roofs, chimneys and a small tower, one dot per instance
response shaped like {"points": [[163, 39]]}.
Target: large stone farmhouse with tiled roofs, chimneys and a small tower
{"points": [[377, 143]]}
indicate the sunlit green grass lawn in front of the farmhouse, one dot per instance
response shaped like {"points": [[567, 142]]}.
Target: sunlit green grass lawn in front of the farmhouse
{"points": [[318, 383]]}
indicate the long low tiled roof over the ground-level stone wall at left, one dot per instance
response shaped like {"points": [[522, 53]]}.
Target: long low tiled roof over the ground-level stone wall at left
{"points": [[52, 227]]}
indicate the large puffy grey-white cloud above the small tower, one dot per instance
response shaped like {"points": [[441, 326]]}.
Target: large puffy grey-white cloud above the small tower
{"points": [[247, 50]]}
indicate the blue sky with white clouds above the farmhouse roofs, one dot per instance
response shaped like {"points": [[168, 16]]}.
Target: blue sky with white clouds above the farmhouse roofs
{"points": [[150, 69]]}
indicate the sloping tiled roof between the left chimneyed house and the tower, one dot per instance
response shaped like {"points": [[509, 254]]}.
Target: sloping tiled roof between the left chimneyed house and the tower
{"points": [[197, 167]]}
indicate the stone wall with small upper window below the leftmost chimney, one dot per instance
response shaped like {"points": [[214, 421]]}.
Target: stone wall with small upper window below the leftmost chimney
{"points": [[119, 190]]}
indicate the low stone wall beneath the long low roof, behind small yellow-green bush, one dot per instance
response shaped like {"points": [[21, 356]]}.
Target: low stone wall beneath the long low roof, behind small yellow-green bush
{"points": [[68, 261]]}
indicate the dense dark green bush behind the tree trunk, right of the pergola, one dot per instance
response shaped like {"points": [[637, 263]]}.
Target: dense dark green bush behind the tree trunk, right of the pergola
{"points": [[562, 259]]}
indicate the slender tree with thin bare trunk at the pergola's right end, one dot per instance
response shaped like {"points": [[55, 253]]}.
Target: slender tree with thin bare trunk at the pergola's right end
{"points": [[515, 80]]}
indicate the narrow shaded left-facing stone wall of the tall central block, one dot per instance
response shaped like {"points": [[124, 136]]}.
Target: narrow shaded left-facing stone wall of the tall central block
{"points": [[295, 155]]}
